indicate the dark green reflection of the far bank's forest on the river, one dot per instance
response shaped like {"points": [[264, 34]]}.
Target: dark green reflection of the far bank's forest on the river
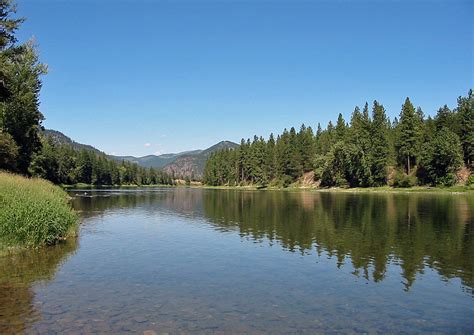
{"points": [[369, 231]]}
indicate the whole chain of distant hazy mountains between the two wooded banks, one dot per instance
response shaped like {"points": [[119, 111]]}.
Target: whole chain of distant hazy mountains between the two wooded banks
{"points": [[183, 164]]}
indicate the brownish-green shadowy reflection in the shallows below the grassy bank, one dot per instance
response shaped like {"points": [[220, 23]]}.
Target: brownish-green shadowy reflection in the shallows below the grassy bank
{"points": [[18, 274]]}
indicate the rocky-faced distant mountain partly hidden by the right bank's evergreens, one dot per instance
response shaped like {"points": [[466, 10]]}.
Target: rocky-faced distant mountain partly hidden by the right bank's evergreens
{"points": [[192, 165]]}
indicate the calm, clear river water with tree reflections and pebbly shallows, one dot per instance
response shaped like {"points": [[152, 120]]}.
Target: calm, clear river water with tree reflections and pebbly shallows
{"points": [[219, 261]]}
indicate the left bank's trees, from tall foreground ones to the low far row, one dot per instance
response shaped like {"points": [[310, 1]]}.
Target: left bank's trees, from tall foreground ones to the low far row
{"points": [[22, 147]]}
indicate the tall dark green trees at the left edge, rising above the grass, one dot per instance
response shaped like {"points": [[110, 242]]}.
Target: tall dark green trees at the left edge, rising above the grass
{"points": [[20, 72]]}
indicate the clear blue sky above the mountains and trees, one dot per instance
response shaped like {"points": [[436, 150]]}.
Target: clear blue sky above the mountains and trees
{"points": [[139, 77]]}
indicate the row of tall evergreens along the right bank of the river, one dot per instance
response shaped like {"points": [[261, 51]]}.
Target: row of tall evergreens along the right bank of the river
{"points": [[369, 150]]}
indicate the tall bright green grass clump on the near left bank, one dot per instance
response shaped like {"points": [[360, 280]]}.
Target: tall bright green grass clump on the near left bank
{"points": [[33, 212]]}
